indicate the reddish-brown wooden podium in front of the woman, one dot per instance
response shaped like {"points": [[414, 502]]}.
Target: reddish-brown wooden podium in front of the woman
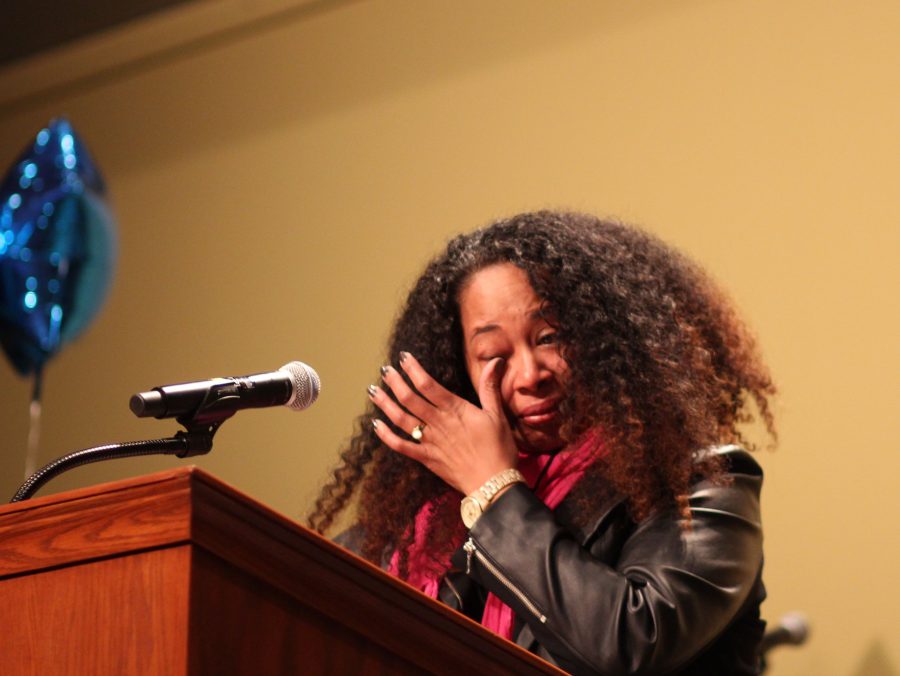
{"points": [[178, 573]]}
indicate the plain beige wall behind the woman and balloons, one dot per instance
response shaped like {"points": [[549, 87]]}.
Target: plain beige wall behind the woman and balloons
{"points": [[281, 173]]}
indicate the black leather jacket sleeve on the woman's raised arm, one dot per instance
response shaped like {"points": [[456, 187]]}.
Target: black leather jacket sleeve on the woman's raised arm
{"points": [[649, 607]]}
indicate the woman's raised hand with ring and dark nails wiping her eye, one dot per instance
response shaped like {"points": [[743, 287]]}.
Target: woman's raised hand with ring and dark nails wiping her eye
{"points": [[461, 443]]}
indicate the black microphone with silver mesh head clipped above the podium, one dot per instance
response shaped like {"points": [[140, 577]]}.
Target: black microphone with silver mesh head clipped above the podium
{"points": [[295, 385]]}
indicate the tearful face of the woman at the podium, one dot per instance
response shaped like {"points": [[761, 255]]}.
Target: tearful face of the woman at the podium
{"points": [[502, 316]]}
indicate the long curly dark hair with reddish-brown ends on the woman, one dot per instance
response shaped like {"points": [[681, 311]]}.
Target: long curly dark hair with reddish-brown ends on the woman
{"points": [[658, 361]]}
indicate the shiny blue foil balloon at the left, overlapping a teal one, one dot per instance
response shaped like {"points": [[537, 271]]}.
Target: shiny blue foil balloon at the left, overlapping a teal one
{"points": [[57, 247]]}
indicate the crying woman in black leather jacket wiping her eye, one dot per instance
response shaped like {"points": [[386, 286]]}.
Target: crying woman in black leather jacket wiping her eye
{"points": [[583, 386]]}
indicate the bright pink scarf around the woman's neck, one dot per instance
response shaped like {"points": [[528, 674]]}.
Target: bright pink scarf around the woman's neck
{"points": [[549, 476]]}
